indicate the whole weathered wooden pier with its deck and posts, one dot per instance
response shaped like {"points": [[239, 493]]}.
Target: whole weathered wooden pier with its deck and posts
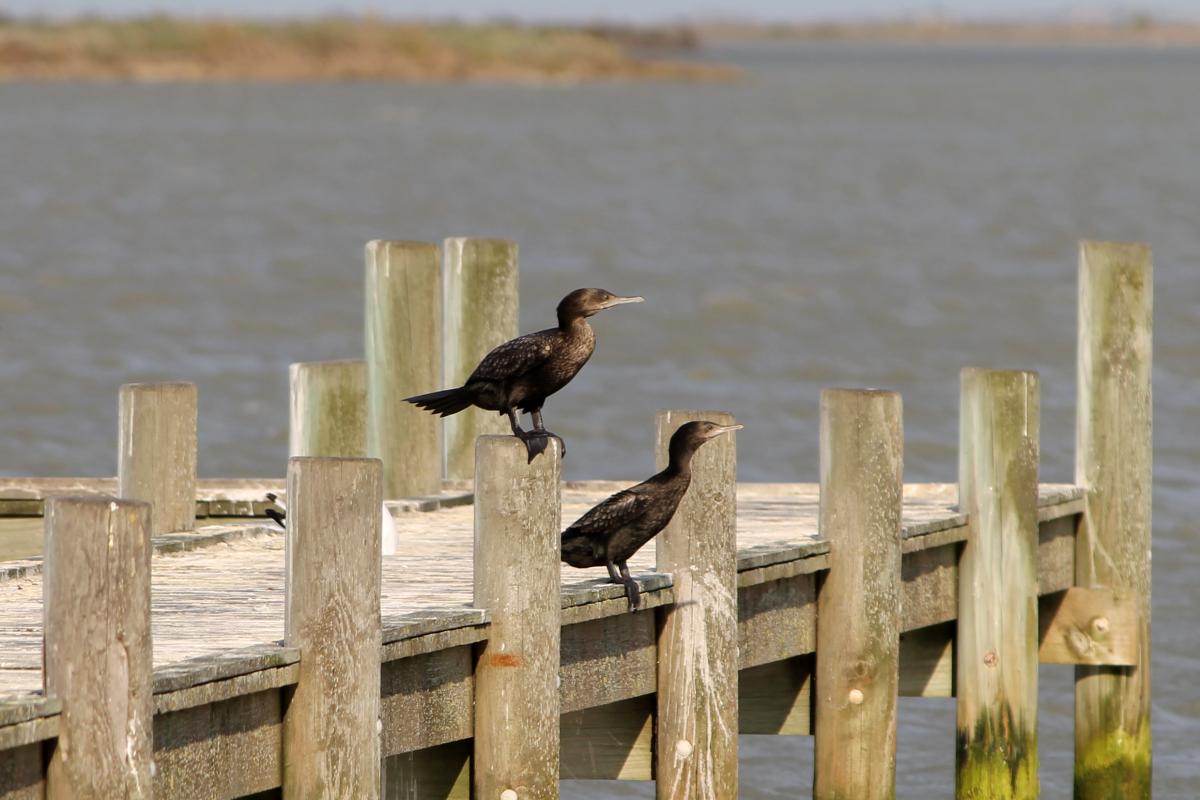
{"points": [[304, 664]]}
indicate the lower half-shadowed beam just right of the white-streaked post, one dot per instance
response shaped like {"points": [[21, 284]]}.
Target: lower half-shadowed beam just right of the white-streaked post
{"points": [[777, 699]]}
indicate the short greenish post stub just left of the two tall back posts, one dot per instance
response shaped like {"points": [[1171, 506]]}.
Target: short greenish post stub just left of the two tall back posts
{"points": [[329, 408]]}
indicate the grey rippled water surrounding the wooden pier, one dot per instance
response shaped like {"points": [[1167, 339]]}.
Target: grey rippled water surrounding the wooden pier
{"points": [[845, 216]]}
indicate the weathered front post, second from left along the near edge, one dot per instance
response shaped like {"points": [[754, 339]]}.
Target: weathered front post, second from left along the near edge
{"points": [[332, 725]]}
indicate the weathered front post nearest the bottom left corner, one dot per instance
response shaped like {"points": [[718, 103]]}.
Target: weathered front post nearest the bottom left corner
{"points": [[98, 647]]}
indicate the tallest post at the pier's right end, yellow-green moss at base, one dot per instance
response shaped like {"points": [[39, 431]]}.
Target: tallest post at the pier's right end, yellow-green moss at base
{"points": [[1113, 464]]}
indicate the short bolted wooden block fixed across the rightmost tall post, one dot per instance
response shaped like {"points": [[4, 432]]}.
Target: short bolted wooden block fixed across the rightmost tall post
{"points": [[1089, 627]]}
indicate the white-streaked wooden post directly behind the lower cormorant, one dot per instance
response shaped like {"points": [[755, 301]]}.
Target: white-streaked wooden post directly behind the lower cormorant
{"points": [[697, 742]]}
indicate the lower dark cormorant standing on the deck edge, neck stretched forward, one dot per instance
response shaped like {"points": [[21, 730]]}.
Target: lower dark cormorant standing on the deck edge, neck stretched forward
{"points": [[617, 528]]}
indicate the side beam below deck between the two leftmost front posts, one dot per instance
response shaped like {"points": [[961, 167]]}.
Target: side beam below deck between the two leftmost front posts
{"points": [[220, 750]]}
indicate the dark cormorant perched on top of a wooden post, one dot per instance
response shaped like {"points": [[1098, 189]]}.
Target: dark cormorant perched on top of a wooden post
{"points": [[524, 372]]}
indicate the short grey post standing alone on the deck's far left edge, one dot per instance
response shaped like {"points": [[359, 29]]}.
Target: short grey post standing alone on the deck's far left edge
{"points": [[157, 459]]}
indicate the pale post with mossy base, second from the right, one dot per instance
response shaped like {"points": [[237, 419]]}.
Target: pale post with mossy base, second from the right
{"points": [[998, 629]]}
